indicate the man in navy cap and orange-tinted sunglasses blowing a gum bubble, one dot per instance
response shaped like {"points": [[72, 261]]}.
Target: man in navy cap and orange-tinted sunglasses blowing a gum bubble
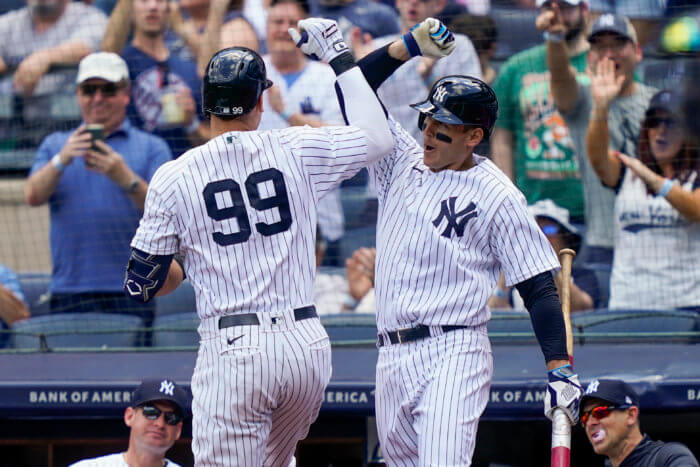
{"points": [[610, 417]]}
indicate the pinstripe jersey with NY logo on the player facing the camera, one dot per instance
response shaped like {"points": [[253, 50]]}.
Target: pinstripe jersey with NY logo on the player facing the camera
{"points": [[443, 238]]}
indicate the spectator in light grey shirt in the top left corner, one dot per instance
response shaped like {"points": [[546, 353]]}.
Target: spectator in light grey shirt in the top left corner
{"points": [[42, 44]]}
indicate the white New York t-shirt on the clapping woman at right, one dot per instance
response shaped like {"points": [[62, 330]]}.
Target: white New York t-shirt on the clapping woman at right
{"points": [[657, 251]]}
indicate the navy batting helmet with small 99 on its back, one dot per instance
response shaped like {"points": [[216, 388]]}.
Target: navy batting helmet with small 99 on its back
{"points": [[234, 80]]}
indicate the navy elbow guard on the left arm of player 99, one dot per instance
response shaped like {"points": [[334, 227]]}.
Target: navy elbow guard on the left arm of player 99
{"points": [[145, 274]]}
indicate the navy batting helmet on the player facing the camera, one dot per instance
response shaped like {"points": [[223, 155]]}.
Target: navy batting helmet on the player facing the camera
{"points": [[460, 100]]}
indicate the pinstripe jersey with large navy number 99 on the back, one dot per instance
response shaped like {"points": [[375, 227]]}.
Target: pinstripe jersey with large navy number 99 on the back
{"points": [[242, 210]]}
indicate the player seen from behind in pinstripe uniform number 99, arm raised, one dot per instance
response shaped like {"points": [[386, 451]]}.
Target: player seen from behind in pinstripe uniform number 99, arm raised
{"points": [[241, 210]]}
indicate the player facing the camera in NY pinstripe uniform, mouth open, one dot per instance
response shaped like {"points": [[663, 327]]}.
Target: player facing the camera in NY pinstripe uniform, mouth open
{"points": [[449, 223]]}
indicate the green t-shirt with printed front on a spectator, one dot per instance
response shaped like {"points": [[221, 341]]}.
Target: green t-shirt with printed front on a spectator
{"points": [[544, 154]]}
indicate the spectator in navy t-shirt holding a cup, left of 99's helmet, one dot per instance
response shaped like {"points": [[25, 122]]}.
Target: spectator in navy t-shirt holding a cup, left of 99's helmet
{"points": [[166, 92]]}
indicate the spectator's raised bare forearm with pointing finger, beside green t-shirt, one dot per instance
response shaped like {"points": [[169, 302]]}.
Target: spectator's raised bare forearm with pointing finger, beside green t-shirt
{"points": [[563, 76]]}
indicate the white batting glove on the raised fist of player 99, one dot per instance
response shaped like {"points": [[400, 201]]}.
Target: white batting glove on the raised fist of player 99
{"points": [[319, 38]]}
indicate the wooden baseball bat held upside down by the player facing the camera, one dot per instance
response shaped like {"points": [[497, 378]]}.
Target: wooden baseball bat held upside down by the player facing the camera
{"points": [[561, 427]]}
